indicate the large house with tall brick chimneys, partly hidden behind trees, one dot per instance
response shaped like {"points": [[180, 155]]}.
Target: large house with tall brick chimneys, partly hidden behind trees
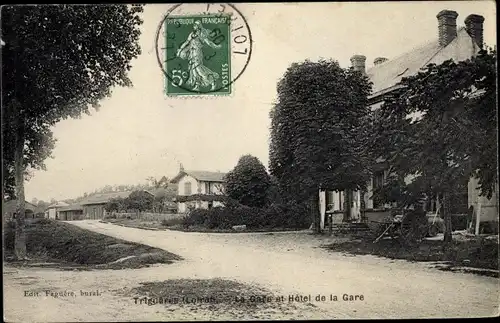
{"points": [[454, 43]]}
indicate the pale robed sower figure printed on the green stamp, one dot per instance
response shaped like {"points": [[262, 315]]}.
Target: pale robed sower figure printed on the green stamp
{"points": [[192, 51]]}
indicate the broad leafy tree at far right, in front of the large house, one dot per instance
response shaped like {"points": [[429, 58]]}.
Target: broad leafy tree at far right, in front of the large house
{"points": [[439, 128]]}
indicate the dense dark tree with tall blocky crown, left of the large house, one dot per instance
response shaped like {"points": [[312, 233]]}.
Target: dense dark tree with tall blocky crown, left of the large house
{"points": [[318, 131]]}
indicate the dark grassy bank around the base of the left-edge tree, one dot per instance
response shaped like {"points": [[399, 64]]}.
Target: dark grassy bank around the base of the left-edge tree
{"points": [[68, 245]]}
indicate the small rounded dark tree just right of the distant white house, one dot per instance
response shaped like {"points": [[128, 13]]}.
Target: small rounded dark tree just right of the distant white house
{"points": [[248, 183]]}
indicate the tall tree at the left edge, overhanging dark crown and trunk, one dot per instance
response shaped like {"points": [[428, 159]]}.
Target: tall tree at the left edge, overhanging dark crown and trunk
{"points": [[58, 62]]}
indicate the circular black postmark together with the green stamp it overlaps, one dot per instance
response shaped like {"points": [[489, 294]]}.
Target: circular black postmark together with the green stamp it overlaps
{"points": [[202, 48]]}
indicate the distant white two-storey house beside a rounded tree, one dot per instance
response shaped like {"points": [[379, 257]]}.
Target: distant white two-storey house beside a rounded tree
{"points": [[199, 189]]}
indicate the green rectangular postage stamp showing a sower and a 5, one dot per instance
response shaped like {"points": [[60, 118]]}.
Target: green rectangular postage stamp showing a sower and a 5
{"points": [[198, 54]]}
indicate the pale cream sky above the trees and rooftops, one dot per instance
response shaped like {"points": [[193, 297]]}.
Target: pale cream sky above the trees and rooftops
{"points": [[139, 132]]}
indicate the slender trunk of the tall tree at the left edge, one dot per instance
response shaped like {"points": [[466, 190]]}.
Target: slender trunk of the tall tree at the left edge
{"points": [[20, 234]]}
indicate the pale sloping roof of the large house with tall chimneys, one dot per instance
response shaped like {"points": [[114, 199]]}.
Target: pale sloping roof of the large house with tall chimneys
{"points": [[387, 75]]}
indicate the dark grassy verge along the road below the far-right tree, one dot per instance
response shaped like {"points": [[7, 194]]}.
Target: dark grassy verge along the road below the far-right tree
{"points": [[473, 253]]}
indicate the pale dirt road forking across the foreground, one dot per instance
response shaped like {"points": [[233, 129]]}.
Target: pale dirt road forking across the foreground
{"points": [[286, 263]]}
